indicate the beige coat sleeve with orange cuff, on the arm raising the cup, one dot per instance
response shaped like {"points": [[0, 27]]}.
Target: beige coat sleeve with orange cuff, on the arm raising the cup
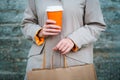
{"points": [[30, 25]]}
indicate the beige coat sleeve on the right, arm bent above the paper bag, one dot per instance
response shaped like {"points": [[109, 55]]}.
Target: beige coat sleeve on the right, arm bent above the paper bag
{"points": [[93, 25]]}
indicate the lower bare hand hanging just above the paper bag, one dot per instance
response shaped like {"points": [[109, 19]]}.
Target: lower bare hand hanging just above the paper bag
{"points": [[64, 46]]}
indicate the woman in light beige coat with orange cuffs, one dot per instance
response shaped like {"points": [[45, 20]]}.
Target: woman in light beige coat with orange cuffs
{"points": [[82, 24]]}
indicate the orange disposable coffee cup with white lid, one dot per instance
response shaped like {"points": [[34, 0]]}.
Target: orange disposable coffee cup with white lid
{"points": [[55, 13]]}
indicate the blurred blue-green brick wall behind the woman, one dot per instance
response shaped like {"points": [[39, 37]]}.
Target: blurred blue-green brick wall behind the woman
{"points": [[14, 47]]}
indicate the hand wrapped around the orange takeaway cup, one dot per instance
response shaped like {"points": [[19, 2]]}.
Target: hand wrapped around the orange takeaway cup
{"points": [[50, 29]]}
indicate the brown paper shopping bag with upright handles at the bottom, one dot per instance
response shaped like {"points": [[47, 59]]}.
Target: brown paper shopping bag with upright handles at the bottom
{"points": [[82, 72]]}
